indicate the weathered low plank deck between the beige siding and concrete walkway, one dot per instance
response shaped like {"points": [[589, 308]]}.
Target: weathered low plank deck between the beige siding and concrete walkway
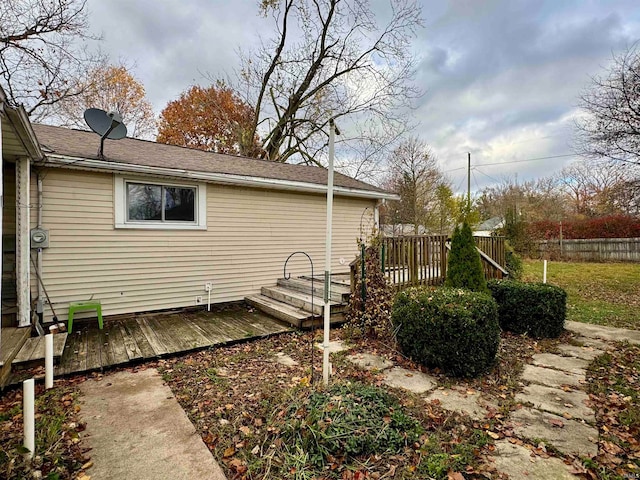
{"points": [[141, 337]]}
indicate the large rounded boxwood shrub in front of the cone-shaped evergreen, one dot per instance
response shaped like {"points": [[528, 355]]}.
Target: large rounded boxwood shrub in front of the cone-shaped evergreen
{"points": [[450, 328]]}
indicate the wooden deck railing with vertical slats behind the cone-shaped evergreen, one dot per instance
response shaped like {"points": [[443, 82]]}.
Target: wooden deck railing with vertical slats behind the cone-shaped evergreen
{"points": [[410, 260]]}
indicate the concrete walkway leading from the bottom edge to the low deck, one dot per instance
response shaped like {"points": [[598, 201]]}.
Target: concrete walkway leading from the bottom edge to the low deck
{"points": [[138, 431]]}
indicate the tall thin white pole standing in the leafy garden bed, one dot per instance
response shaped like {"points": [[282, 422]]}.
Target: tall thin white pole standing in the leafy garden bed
{"points": [[326, 366]]}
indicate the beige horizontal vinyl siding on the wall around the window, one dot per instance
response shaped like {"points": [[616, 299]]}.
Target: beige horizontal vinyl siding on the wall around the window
{"points": [[250, 233]]}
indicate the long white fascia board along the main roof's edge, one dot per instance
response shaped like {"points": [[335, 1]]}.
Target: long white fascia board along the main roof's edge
{"points": [[221, 178]]}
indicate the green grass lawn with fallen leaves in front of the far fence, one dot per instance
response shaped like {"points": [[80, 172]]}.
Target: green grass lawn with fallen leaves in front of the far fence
{"points": [[600, 293]]}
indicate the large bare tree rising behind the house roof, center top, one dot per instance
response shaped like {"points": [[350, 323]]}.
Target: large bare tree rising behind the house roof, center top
{"points": [[330, 59]]}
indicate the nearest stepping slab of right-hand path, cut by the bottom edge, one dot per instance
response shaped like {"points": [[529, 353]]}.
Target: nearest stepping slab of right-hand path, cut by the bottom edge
{"points": [[517, 462]]}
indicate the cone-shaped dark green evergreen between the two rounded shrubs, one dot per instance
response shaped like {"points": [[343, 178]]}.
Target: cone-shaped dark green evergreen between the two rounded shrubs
{"points": [[464, 269]]}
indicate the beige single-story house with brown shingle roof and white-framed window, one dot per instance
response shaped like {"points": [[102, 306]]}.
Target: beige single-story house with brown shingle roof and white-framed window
{"points": [[147, 226]]}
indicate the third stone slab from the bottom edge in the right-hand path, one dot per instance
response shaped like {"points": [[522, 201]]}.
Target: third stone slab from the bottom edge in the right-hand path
{"points": [[558, 401]]}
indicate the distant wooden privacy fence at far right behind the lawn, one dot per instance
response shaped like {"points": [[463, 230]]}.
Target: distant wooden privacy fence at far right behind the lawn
{"points": [[593, 249]]}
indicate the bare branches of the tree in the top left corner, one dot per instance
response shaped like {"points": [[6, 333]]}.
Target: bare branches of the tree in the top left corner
{"points": [[42, 51]]}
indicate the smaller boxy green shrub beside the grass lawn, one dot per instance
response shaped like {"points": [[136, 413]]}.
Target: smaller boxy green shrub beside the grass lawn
{"points": [[536, 309]]}
